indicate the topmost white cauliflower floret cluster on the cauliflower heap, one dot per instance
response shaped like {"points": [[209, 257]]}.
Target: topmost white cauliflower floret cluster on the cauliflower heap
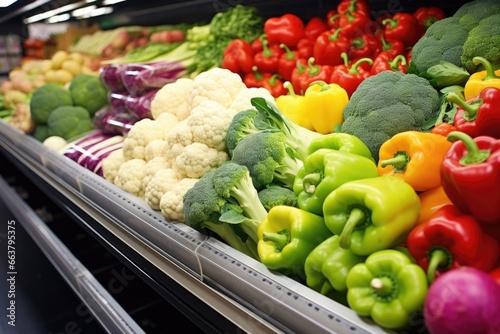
{"points": [[217, 84]]}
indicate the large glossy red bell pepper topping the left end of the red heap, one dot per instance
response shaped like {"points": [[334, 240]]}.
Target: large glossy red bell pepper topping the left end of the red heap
{"points": [[287, 29]]}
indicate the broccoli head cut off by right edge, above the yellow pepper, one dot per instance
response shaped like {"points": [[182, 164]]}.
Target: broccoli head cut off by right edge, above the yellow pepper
{"points": [[483, 41]]}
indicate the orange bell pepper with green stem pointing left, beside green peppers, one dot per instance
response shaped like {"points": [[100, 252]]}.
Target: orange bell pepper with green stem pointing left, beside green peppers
{"points": [[415, 157]]}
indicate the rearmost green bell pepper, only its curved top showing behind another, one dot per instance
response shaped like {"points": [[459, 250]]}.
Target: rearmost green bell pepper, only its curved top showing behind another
{"points": [[343, 142]]}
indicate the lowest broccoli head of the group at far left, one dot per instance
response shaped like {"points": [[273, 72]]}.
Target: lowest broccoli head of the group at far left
{"points": [[69, 122]]}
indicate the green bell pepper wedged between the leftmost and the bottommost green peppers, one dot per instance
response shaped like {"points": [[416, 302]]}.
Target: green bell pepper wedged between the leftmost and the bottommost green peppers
{"points": [[327, 266]]}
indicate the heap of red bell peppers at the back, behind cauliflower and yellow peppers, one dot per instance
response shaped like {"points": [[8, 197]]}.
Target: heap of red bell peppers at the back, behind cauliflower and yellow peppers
{"points": [[345, 47]]}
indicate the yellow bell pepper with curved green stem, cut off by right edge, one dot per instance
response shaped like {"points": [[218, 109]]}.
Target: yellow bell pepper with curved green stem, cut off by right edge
{"points": [[480, 80]]}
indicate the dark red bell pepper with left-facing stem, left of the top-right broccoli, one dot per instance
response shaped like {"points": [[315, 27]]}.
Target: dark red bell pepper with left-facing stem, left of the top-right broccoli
{"points": [[403, 27]]}
